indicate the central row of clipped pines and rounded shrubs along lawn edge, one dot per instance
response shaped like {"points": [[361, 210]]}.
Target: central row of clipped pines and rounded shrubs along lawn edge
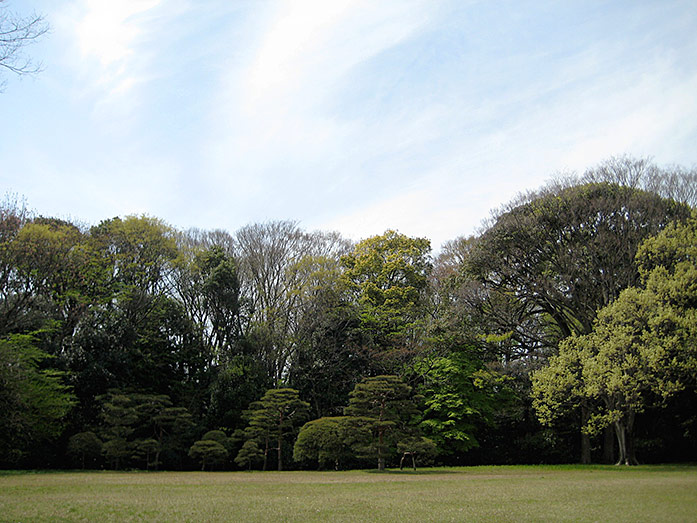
{"points": [[382, 417]]}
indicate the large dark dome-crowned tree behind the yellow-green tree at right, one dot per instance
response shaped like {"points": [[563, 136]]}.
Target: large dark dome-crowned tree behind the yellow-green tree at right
{"points": [[553, 259]]}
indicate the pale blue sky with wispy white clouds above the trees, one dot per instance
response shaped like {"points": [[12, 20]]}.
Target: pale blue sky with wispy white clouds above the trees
{"points": [[344, 115]]}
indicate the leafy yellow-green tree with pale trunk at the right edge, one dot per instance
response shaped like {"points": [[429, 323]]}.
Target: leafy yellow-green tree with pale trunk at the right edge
{"points": [[641, 348]]}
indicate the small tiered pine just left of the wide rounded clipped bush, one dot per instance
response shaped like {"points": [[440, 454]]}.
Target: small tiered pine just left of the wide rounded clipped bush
{"points": [[276, 415]]}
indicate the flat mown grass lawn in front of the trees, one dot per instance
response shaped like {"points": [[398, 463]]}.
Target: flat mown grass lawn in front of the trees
{"points": [[536, 493]]}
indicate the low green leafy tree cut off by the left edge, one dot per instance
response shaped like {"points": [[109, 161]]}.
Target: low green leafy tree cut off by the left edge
{"points": [[34, 402]]}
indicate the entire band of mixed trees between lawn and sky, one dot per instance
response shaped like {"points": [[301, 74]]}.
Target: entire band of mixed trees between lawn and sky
{"points": [[563, 331]]}
